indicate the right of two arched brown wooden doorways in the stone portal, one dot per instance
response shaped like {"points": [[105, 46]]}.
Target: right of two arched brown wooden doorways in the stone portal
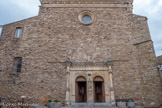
{"points": [[99, 90]]}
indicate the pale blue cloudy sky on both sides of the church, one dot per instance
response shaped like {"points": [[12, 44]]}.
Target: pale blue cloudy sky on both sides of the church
{"points": [[15, 10]]}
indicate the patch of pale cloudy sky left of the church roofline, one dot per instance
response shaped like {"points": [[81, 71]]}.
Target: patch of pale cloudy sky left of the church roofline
{"points": [[15, 10]]}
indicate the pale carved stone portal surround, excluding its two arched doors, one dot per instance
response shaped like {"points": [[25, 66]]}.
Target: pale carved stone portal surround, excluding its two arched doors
{"points": [[90, 70]]}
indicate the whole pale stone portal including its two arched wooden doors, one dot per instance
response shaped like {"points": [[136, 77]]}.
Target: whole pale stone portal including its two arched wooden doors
{"points": [[89, 82]]}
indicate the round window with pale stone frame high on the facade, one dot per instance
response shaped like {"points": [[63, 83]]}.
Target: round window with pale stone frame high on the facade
{"points": [[86, 18]]}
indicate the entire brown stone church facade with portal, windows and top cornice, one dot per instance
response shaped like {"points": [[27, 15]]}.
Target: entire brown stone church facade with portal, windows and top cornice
{"points": [[80, 51]]}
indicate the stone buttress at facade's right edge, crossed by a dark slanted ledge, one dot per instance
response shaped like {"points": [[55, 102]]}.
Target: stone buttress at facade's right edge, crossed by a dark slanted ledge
{"points": [[145, 56]]}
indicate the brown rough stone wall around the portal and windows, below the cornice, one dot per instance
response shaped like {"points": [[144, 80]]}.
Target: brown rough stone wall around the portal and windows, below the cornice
{"points": [[56, 34]]}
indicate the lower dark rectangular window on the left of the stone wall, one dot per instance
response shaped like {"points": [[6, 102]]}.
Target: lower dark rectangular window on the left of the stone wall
{"points": [[17, 64]]}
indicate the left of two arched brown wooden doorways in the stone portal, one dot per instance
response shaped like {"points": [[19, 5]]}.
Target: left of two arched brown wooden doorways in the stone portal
{"points": [[81, 89]]}
